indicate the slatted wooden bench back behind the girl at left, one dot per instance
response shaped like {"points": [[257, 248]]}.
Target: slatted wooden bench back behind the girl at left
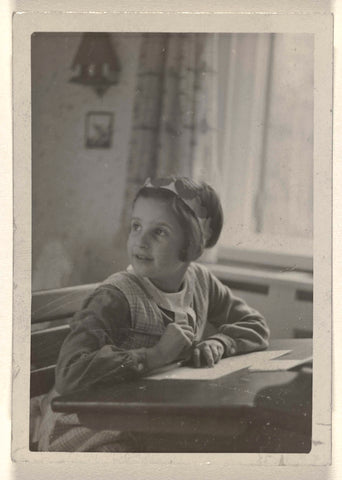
{"points": [[51, 312]]}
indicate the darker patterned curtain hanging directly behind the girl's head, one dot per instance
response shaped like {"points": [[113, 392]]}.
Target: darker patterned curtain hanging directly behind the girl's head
{"points": [[174, 127]]}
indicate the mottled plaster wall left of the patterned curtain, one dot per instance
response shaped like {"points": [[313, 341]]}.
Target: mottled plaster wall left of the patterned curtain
{"points": [[77, 192]]}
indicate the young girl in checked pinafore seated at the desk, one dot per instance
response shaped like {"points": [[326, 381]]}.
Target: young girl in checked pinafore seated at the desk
{"points": [[154, 313]]}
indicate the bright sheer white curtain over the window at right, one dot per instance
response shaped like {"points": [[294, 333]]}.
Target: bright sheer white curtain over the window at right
{"points": [[266, 143]]}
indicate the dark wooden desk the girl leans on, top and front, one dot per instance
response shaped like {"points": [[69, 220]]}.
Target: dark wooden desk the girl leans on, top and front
{"points": [[241, 412]]}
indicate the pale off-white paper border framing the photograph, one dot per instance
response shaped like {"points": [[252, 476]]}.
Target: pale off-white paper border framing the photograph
{"points": [[320, 26]]}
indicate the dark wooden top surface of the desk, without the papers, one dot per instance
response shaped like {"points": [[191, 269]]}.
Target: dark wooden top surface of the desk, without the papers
{"points": [[239, 390]]}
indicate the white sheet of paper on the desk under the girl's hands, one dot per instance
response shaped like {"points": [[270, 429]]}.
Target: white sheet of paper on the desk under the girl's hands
{"points": [[224, 367]]}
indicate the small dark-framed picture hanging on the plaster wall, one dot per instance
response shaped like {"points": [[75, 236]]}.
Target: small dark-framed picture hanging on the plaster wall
{"points": [[99, 129]]}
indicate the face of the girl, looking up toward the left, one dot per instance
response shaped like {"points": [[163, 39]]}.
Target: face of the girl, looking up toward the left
{"points": [[154, 244]]}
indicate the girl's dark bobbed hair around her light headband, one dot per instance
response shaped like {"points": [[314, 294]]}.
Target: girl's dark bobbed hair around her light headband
{"points": [[188, 220]]}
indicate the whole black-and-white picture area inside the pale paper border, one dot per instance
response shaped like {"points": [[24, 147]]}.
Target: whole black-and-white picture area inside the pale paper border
{"points": [[172, 255]]}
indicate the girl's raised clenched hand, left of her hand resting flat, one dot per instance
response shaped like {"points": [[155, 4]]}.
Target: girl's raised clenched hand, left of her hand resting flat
{"points": [[176, 338]]}
